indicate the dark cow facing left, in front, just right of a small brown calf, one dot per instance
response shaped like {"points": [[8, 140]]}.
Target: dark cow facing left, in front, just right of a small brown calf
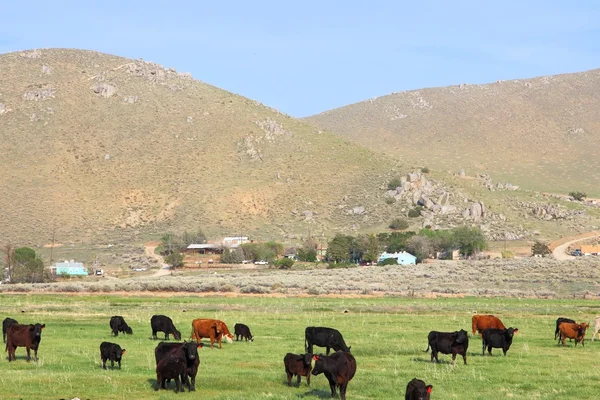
{"points": [[339, 368]]}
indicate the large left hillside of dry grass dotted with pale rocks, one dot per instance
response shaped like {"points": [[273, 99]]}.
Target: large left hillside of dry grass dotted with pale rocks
{"points": [[108, 148]]}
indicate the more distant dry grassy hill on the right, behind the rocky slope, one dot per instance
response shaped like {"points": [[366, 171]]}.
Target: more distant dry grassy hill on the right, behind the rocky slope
{"points": [[542, 134]]}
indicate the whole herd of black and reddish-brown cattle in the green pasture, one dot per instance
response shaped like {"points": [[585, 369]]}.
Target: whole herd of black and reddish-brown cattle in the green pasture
{"points": [[179, 361]]}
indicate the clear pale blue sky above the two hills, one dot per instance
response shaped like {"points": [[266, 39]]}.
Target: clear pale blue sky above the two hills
{"points": [[306, 57]]}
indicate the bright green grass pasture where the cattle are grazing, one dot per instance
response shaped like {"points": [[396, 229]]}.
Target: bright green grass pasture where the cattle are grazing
{"points": [[388, 337]]}
